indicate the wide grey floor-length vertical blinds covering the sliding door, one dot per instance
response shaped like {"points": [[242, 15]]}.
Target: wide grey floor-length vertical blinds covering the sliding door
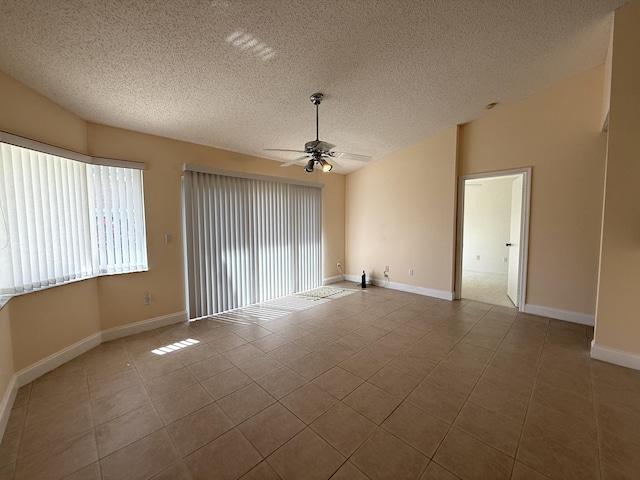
{"points": [[248, 240]]}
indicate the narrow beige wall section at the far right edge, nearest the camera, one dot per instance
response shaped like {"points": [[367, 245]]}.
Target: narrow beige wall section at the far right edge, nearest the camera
{"points": [[617, 319]]}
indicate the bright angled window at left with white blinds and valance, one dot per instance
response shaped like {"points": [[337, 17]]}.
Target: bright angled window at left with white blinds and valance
{"points": [[63, 219]]}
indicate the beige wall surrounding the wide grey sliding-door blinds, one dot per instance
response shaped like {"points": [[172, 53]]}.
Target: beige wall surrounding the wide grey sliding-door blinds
{"points": [[162, 183]]}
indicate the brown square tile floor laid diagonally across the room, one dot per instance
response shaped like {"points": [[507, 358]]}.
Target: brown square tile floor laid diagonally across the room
{"points": [[380, 384]]}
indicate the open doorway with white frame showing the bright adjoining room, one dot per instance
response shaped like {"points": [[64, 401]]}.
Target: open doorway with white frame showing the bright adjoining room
{"points": [[493, 229]]}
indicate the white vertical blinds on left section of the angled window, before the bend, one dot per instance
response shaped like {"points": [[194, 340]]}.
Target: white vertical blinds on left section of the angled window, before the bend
{"points": [[46, 239]]}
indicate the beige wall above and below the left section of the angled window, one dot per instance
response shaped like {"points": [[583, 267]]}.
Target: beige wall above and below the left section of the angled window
{"points": [[45, 322]]}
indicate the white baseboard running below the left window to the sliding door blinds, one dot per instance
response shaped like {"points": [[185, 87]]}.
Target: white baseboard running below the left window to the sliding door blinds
{"points": [[30, 373]]}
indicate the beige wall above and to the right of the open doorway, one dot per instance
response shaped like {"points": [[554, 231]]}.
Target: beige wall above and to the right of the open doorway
{"points": [[557, 132]]}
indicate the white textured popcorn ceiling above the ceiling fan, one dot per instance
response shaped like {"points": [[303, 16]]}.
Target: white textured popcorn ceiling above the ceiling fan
{"points": [[237, 74]]}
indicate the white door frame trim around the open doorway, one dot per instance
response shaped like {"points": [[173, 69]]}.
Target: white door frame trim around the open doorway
{"points": [[524, 231]]}
